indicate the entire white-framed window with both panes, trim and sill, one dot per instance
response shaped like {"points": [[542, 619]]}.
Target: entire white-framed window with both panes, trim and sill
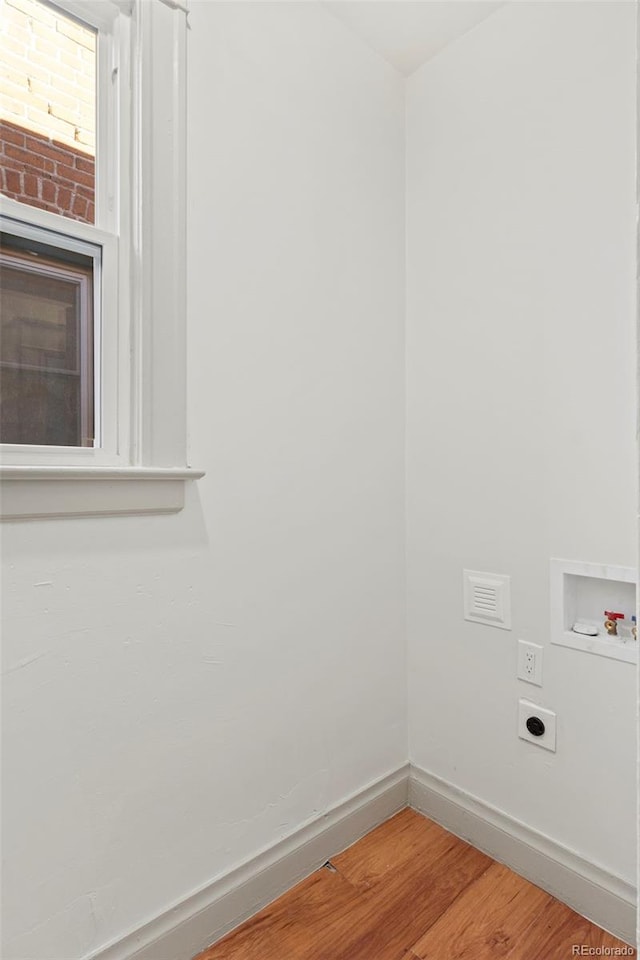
{"points": [[92, 351]]}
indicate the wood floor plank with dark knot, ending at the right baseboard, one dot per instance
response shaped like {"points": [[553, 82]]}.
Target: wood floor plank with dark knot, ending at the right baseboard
{"points": [[487, 919]]}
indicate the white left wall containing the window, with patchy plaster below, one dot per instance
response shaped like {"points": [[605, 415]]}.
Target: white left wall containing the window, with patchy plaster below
{"points": [[182, 691]]}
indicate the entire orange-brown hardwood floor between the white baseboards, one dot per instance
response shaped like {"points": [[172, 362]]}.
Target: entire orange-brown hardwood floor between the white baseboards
{"points": [[411, 891]]}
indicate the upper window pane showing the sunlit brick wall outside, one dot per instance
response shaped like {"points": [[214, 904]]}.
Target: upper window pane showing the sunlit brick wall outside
{"points": [[47, 109]]}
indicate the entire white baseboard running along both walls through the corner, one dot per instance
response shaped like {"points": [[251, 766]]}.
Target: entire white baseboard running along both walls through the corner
{"points": [[191, 925]]}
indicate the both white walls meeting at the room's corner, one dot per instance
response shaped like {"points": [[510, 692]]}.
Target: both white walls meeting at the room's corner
{"points": [[182, 691]]}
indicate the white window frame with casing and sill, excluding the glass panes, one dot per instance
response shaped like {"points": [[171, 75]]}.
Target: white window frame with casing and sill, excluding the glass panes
{"points": [[141, 465]]}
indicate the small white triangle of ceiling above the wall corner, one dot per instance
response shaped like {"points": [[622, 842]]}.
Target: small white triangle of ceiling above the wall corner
{"points": [[409, 32]]}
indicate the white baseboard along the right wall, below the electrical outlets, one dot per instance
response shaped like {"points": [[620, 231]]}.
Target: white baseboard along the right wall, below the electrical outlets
{"points": [[592, 891]]}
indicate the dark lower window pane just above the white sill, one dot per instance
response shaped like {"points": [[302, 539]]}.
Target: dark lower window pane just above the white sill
{"points": [[46, 350]]}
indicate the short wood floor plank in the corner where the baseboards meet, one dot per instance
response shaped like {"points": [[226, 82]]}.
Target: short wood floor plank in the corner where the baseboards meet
{"points": [[401, 839]]}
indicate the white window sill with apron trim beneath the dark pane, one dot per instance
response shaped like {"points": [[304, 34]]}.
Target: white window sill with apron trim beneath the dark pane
{"points": [[50, 492]]}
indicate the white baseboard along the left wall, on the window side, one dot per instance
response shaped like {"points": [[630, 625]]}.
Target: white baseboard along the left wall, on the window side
{"points": [[189, 926]]}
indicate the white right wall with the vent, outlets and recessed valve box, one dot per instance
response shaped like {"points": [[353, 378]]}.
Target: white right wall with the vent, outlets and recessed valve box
{"points": [[521, 403]]}
